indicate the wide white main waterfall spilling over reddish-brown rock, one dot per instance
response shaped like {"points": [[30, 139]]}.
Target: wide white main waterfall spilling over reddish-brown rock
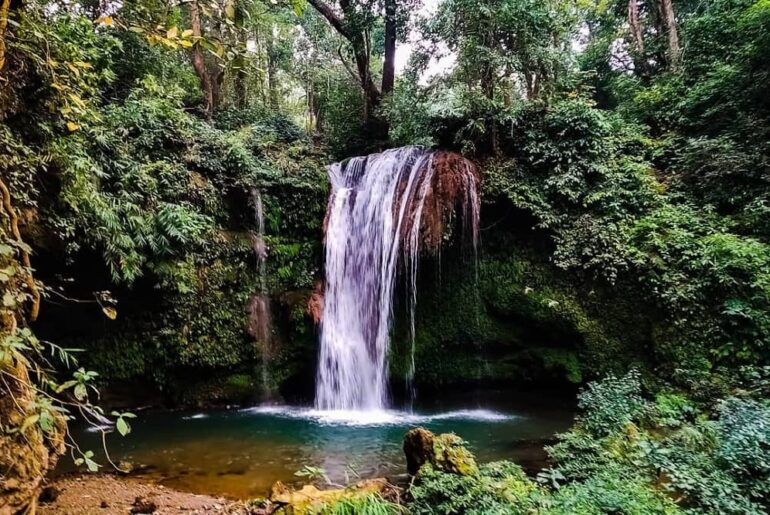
{"points": [[377, 207]]}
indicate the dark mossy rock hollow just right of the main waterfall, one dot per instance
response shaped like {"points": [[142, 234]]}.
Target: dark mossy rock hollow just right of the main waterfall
{"points": [[518, 319]]}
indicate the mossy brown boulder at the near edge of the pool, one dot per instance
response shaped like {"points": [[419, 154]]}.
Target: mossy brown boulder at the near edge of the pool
{"points": [[445, 452]]}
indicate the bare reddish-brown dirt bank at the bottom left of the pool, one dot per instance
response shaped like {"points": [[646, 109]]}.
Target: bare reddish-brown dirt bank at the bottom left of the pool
{"points": [[103, 494]]}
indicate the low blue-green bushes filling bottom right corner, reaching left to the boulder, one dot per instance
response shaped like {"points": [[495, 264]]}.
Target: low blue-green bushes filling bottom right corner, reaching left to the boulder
{"points": [[626, 454]]}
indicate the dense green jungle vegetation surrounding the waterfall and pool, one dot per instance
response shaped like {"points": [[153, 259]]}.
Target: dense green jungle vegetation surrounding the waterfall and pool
{"points": [[625, 156]]}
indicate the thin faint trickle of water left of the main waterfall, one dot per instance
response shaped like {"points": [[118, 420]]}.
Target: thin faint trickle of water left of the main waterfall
{"points": [[259, 304]]}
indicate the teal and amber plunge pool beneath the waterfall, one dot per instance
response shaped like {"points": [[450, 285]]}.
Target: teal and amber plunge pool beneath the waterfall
{"points": [[241, 453]]}
